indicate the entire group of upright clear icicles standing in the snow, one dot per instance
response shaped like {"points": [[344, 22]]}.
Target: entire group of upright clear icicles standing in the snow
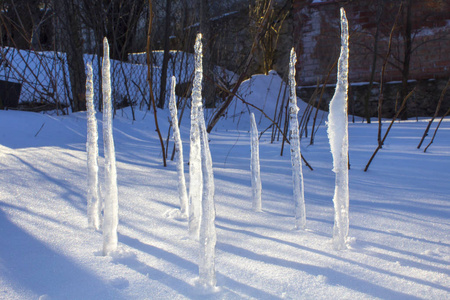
{"points": [[200, 206]]}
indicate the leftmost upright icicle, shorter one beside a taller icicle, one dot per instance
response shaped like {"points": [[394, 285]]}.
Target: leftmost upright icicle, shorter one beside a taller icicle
{"points": [[93, 193]]}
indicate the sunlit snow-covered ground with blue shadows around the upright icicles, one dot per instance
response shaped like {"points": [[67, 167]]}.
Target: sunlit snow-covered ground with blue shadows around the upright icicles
{"points": [[399, 215]]}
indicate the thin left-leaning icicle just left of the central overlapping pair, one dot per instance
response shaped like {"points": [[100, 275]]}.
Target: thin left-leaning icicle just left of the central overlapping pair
{"points": [[179, 151]]}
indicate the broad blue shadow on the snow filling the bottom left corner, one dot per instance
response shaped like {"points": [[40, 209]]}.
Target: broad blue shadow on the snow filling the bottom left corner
{"points": [[28, 263]]}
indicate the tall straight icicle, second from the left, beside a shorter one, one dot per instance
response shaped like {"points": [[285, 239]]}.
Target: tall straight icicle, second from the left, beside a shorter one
{"points": [[111, 211]]}
